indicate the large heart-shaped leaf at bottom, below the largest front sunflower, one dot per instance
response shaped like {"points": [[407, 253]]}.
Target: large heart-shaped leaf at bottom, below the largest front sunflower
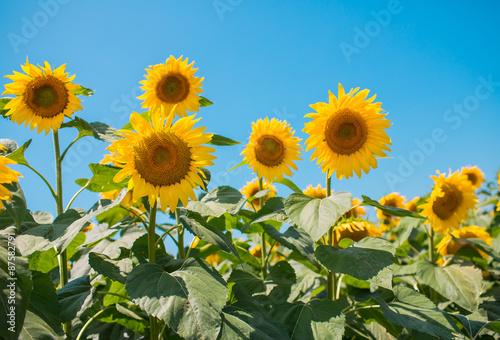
{"points": [[189, 299]]}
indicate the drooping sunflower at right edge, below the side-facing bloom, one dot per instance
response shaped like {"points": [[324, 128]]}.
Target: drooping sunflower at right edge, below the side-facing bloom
{"points": [[448, 246]]}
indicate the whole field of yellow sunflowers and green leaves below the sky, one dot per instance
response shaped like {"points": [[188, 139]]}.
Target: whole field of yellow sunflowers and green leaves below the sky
{"points": [[246, 263]]}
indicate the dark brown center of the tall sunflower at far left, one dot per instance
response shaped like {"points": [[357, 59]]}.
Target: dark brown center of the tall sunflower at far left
{"points": [[46, 96]]}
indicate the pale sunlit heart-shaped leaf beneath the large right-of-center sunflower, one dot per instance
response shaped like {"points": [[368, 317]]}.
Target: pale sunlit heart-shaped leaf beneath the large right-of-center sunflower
{"points": [[316, 215]]}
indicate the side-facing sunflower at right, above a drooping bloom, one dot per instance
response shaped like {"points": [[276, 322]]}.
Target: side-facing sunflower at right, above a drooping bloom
{"points": [[450, 200]]}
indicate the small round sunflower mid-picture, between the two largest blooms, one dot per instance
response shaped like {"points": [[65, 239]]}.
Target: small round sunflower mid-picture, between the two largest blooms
{"points": [[272, 149]]}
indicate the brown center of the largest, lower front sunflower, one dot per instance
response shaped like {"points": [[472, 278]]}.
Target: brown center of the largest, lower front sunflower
{"points": [[162, 159]]}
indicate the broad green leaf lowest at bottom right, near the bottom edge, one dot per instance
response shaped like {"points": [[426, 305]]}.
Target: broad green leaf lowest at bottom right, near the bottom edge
{"points": [[414, 311]]}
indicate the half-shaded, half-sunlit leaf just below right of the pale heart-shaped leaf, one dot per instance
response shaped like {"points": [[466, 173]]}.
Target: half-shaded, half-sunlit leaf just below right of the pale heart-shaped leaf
{"points": [[373, 259]]}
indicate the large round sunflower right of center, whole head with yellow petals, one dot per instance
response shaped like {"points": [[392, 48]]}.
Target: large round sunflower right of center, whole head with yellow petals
{"points": [[347, 133]]}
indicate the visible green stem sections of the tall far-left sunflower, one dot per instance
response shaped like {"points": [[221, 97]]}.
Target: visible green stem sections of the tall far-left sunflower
{"points": [[63, 257]]}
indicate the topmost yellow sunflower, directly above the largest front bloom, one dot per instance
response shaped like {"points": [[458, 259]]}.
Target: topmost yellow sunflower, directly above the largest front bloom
{"points": [[170, 84]]}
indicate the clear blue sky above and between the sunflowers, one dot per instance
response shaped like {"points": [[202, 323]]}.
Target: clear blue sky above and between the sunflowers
{"points": [[434, 66]]}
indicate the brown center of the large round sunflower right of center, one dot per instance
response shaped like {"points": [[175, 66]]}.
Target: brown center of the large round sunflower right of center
{"points": [[346, 132]]}
